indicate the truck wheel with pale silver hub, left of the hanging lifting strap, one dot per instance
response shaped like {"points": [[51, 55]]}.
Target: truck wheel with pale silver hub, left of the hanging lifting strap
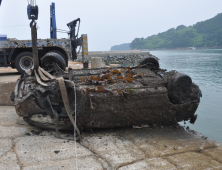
{"points": [[24, 61]]}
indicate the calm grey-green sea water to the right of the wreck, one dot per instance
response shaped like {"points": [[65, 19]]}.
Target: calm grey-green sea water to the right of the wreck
{"points": [[205, 69]]}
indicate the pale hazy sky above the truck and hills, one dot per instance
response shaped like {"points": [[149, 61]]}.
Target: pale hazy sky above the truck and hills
{"points": [[107, 22]]}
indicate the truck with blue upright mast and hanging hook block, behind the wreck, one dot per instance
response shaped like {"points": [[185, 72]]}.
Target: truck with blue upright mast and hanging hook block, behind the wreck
{"points": [[18, 53]]}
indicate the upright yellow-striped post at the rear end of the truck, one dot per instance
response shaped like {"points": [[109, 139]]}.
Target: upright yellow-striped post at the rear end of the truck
{"points": [[85, 54]]}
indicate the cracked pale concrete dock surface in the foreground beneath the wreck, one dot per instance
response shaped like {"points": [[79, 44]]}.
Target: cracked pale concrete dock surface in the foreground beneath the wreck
{"points": [[24, 147]]}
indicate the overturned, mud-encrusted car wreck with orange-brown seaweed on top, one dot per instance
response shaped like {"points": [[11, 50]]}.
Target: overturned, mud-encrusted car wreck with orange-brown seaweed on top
{"points": [[108, 97]]}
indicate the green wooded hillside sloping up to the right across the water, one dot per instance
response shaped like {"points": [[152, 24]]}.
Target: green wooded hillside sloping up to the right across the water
{"points": [[206, 33]]}
